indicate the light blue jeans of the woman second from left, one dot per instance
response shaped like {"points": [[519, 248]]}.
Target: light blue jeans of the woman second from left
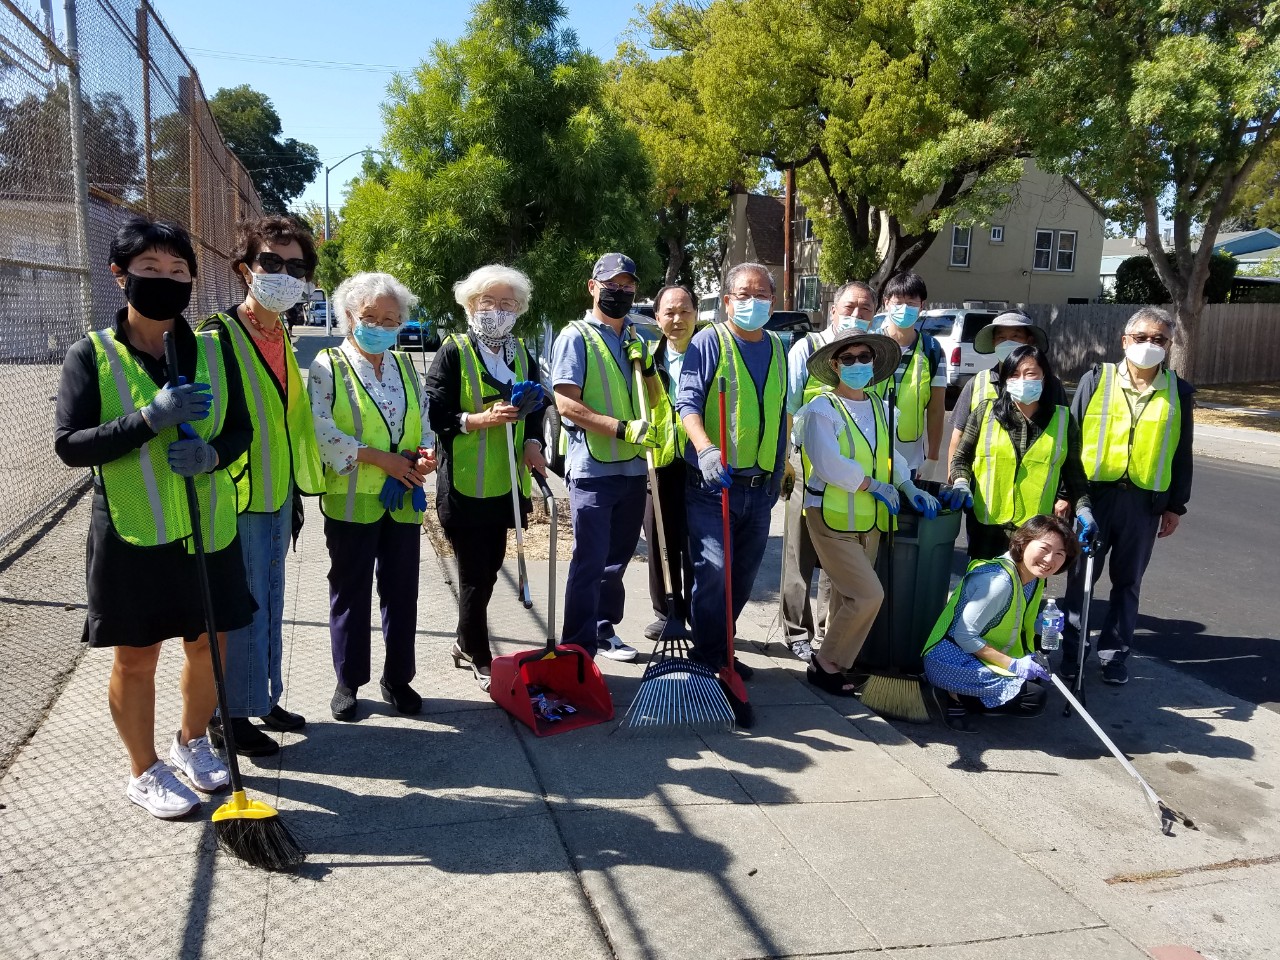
{"points": [[254, 676]]}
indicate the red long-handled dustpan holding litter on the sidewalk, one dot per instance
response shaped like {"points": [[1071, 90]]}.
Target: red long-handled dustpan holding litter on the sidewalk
{"points": [[556, 689]]}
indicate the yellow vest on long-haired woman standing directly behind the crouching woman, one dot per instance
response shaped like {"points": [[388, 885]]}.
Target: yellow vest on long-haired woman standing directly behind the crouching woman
{"points": [[1011, 490]]}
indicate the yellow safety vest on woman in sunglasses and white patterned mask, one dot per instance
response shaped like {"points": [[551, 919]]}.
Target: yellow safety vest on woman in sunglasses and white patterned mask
{"points": [[285, 449]]}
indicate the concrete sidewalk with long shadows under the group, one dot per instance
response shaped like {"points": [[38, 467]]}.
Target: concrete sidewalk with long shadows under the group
{"points": [[825, 831]]}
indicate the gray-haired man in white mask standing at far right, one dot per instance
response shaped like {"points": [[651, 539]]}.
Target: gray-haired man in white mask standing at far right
{"points": [[1136, 426]]}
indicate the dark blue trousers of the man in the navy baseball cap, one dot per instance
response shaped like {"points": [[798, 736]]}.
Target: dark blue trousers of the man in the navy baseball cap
{"points": [[607, 513]]}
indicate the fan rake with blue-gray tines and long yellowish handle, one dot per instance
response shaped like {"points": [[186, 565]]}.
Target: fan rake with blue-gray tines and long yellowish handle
{"points": [[675, 692]]}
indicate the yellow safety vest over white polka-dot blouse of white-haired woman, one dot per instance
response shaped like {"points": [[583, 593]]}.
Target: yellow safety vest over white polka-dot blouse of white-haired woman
{"points": [[354, 497]]}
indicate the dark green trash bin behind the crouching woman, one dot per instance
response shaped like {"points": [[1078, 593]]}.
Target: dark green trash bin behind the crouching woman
{"points": [[924, 552]]}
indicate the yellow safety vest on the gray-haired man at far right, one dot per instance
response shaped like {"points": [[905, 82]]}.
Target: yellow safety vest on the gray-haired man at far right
{"points": [[1116, 447]]}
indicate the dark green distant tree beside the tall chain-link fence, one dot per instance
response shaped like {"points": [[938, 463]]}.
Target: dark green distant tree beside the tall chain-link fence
{"points": [[281, 168]]}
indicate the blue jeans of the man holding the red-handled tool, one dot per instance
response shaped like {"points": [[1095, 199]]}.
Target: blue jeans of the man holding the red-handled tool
{"points": [[749, 534]]}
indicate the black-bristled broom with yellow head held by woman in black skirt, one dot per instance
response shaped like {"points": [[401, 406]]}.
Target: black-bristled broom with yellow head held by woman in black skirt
{"points": [[246, 829]]}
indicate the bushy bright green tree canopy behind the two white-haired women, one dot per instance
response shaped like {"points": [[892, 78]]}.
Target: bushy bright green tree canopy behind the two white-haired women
{"points": [[504, 150]]}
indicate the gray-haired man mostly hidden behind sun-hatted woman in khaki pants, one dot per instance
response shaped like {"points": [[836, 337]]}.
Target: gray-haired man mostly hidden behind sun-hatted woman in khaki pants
{"points": [[852, 309]]}
